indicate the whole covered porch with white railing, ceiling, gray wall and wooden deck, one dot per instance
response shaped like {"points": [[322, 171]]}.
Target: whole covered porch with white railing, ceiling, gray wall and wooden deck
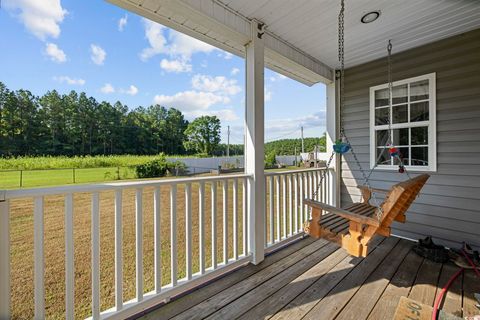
{"points": [[235, 243]]}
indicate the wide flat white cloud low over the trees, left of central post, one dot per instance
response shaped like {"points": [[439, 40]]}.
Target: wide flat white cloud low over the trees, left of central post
{"points": [[190, 100]]}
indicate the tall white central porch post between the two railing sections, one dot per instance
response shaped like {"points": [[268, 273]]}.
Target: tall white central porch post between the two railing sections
{"points": [[254, 142]]}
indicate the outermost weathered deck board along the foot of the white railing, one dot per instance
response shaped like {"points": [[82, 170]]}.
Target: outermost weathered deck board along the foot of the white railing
{"points": [[185, 302]]}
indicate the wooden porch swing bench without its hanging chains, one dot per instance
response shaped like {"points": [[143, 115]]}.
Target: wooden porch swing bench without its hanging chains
{"points": [[353, 226]]}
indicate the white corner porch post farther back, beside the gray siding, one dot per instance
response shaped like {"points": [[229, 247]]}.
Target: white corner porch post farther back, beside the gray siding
{"points": [[333, 117]]}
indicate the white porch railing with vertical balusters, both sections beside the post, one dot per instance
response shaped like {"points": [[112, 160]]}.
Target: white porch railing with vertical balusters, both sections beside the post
{"points": [[197, 235]]}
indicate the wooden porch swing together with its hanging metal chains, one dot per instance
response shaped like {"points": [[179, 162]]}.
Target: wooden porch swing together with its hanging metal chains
{"points": [[353, 226]]}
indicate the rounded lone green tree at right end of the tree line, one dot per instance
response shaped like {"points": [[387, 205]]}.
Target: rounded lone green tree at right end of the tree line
{"points": [[203, 135]]}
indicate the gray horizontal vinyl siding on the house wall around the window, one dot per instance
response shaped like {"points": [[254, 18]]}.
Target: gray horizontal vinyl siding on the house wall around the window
{"points": [[449, 205]]}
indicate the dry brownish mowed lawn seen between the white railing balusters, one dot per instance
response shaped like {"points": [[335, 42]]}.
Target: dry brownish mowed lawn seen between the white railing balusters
{"points": [[22, 246]]}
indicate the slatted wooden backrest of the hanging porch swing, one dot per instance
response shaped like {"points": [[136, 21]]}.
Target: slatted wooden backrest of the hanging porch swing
{"points": [[400, 197]]}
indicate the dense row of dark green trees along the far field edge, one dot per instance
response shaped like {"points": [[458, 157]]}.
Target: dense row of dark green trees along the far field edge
{"points": [[76, 124]]}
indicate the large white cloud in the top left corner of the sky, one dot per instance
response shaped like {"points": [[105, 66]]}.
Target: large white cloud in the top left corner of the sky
{"points": [[41, 18]]}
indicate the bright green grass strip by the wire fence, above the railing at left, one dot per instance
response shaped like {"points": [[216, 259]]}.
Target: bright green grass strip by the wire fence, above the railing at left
{"points": [[52, 177]]}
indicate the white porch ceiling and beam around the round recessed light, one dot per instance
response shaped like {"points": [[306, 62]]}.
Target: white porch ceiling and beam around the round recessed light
{"points": [[301, 35]]}
